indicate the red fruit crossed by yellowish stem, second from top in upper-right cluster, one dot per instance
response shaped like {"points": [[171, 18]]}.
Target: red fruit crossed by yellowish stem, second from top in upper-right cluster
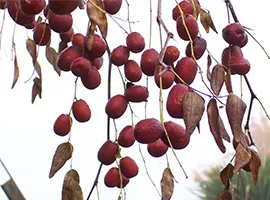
{"points": [[192, 27]]}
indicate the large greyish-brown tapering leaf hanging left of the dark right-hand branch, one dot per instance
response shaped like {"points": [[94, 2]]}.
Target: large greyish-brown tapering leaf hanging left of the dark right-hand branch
{"points": [[235, 109]]}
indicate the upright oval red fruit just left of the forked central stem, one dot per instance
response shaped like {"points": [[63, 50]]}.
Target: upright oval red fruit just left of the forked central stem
{"points": [[149, 61]]}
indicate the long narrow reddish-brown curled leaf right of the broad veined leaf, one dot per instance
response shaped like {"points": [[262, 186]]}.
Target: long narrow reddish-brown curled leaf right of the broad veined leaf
{"points": [[214, 124]]}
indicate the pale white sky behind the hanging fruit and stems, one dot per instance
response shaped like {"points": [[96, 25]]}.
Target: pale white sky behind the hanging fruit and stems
{"points": [[28, 142]]}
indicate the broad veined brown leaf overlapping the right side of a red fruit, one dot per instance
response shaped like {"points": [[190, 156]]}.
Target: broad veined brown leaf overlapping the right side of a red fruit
{"points": [[193, 108]]}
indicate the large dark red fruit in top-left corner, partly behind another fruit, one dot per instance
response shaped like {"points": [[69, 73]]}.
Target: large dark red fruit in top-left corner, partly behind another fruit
{"points": [[15, 12]]}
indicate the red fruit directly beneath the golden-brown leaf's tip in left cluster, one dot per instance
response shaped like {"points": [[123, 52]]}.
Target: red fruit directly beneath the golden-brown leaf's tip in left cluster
{"points": [[98, 48]]}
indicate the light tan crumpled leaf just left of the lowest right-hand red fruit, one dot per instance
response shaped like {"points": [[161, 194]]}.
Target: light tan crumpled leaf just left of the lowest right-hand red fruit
{"points": [[242, 157]]}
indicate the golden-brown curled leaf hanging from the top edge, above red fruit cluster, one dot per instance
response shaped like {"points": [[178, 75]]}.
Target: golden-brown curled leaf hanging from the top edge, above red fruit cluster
{"points": [[95, 11]]}
